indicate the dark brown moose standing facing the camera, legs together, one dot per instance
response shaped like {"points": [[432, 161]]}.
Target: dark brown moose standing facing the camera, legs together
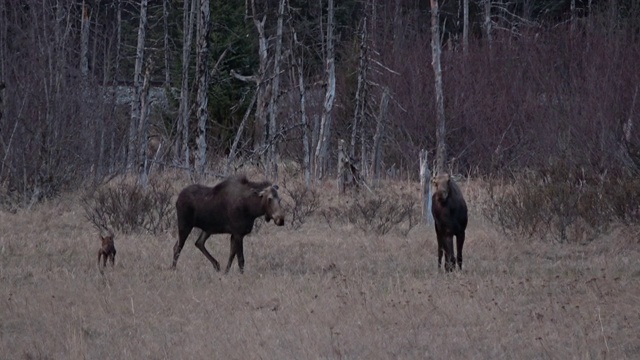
{"points": [[450, 216]]}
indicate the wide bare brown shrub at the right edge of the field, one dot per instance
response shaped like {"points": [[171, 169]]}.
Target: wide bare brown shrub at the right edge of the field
{"points": [[563, 203]]}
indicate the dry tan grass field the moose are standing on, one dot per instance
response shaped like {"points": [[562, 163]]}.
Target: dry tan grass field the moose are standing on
{"points": [[318, 292]]}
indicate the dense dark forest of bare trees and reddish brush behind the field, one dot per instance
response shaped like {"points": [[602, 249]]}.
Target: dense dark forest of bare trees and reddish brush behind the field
{"points": [[537, 85]]}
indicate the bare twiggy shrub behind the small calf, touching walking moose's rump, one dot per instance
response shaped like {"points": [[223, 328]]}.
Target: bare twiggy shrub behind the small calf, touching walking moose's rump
{"points": [[131, 208]]}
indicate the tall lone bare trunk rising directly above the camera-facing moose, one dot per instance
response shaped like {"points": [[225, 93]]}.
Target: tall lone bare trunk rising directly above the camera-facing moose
{"points": [[436, 48]]}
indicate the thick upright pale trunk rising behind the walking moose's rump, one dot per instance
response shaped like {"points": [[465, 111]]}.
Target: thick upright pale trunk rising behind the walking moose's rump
{"points": [[203, 84]]}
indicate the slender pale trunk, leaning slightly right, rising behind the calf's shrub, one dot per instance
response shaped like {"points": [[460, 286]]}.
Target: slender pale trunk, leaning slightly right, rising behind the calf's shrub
{"points": [[137, 86]]}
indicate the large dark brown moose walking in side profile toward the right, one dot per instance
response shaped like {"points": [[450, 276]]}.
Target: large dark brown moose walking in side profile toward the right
{"points": [[230, 207]]}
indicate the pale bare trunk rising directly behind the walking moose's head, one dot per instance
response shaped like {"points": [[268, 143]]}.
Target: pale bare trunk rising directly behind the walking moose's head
{"points": [[272, 154]]}
